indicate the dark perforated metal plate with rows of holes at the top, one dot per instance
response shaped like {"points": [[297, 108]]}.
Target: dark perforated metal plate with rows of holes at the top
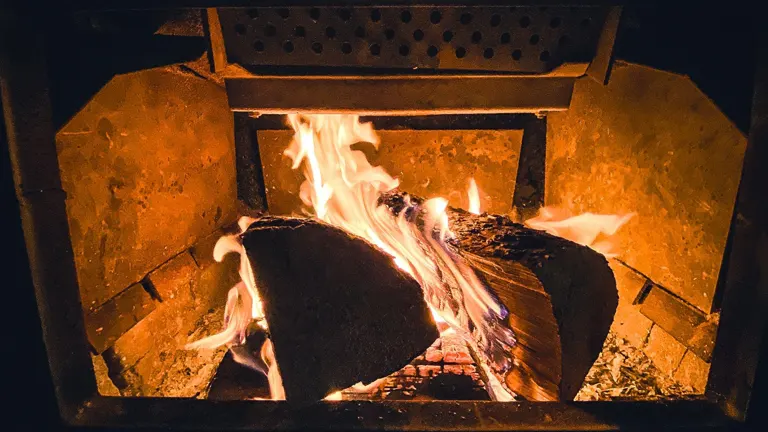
{"points": [[515, 39]]}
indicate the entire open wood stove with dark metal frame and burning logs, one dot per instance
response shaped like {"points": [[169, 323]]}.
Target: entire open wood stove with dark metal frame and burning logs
{"points": [[129, 170]]}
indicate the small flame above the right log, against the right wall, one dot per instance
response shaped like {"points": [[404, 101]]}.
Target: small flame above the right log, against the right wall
{"points": [[588, 229]]}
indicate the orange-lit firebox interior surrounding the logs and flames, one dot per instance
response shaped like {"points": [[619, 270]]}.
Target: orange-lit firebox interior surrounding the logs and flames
{"points": [[429, 158]]}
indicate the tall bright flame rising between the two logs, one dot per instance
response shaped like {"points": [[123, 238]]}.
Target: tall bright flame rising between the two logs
{"points": [[343, 189]]}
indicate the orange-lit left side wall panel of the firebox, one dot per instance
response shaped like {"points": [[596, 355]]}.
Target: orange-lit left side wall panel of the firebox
{"points": [[148, 168]]}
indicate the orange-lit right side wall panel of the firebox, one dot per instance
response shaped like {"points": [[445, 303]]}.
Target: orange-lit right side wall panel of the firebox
{"points": [[651, 142]]}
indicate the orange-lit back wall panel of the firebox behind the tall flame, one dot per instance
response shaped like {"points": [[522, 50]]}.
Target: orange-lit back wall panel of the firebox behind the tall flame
{"points": [[428, 163]]}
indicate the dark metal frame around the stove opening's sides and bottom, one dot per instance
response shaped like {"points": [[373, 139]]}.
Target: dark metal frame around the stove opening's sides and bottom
{"points": [[31, 139]]}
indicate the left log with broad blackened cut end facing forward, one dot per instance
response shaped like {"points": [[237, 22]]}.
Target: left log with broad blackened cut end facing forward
{"points": [[339, 310]]}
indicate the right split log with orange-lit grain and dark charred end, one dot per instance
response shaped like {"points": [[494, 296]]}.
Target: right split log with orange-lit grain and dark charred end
{"points": [[561, 298]]}
